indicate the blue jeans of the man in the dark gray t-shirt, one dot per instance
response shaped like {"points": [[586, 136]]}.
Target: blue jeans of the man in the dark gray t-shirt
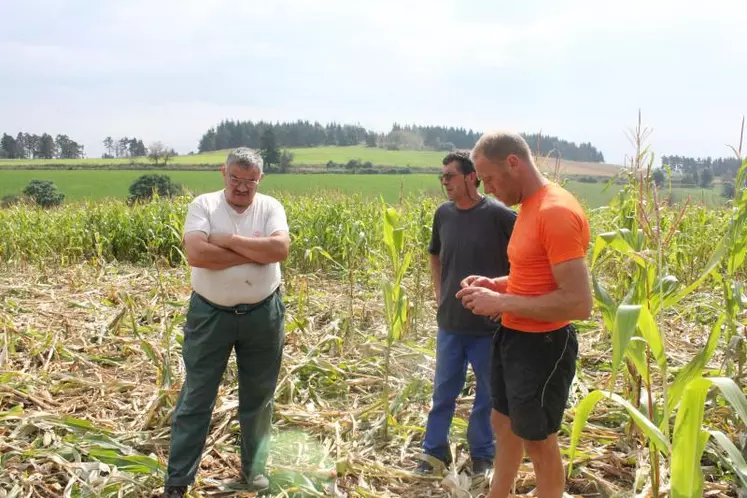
{"points": [[453, 351]]}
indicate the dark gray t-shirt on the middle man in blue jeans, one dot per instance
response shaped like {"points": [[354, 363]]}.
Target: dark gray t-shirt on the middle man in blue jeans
{"points": [[469, 242]]}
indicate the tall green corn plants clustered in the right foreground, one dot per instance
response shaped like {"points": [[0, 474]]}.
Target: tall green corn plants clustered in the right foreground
{"points": [[636, 333]]}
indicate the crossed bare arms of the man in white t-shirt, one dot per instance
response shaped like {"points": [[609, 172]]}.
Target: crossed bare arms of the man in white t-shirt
{"points": [[223, 250]]}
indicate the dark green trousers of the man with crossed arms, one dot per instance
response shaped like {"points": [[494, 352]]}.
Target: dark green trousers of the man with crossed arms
{"points": [[257, 333]]}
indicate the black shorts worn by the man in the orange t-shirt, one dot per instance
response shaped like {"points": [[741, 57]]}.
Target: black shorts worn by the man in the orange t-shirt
{"points": [[531, 375]]}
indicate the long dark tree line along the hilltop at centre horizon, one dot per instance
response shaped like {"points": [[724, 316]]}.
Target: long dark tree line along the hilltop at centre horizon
{"points": [[230, 134]]}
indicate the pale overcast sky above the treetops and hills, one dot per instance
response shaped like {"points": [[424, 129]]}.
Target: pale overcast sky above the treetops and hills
{"points": [[577, 69]]}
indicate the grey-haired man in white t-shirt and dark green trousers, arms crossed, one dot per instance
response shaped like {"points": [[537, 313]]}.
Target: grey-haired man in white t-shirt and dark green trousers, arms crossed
{"points": [[234, 240]]}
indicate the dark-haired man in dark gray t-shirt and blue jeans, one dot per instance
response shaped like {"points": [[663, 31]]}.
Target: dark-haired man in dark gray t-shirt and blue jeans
{"points": [[469, 237]]}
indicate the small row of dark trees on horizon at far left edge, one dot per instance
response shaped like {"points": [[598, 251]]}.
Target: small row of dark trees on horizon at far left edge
{"points": [[32, 146]]}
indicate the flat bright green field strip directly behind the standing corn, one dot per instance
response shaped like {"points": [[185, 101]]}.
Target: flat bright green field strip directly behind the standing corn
{"points": [[79, 184]]}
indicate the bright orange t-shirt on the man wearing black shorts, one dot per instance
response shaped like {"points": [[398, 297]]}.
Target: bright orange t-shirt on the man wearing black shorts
{"points": [[551, 228]]}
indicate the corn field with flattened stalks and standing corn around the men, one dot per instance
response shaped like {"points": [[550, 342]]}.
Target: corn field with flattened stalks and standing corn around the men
{"points": [[93, 296]]}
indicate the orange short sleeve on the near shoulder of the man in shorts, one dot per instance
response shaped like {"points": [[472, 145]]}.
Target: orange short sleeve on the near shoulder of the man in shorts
{"points": [[564, 234]]}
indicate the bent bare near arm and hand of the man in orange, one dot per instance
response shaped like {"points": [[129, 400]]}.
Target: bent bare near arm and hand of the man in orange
{"points": [[570, 301]]}
